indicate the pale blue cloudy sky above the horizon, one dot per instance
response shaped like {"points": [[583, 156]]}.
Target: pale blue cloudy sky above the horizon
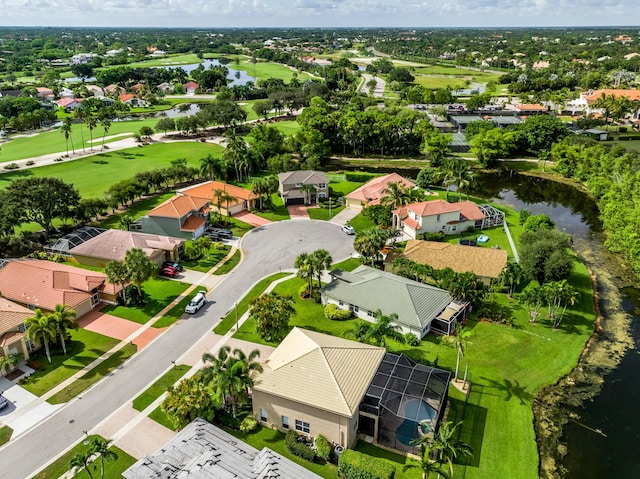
{"points": [[318, 13]]}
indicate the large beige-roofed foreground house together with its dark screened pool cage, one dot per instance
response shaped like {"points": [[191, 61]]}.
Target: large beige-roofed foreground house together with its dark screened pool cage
{"points": [[318, 384]]}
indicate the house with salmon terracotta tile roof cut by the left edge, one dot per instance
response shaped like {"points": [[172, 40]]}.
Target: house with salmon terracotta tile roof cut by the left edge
{"points": [[44, 284]]}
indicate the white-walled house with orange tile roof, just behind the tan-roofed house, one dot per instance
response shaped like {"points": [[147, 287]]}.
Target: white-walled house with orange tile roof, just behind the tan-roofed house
{"points": [[437, 216]]}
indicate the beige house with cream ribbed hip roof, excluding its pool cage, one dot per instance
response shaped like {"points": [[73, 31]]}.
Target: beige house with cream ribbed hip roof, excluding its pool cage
{"points": [[313, 384]]}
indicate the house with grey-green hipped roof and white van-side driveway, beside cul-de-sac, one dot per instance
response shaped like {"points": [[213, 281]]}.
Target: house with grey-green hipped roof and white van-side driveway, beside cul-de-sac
{"points": [[365, 290]]}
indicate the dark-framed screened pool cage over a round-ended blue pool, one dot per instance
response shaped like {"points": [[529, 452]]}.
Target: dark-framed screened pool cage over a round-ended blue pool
{"points": [[408, 399]]}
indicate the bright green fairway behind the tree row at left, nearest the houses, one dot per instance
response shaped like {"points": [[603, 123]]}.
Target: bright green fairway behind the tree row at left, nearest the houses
{"points": [[92, 176]]}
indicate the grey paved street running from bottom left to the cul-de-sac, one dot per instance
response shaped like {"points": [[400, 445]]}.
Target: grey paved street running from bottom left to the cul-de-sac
{"points": [[267, 249]]}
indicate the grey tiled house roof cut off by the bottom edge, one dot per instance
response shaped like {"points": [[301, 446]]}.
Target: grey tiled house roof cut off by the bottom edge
{"points": [[202, 450]]}
